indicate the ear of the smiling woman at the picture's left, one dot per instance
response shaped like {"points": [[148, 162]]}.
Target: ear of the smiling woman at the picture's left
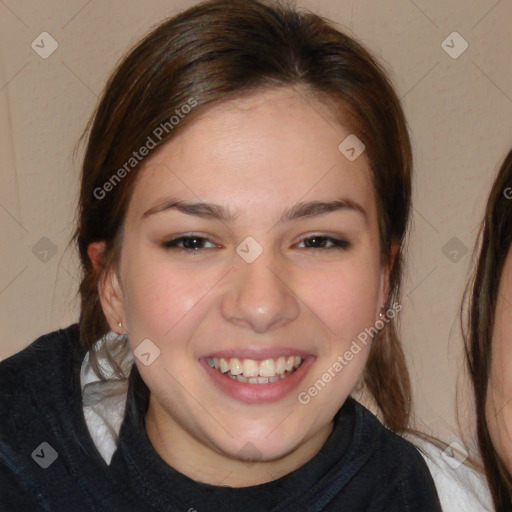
{"points": [[109, 288]]}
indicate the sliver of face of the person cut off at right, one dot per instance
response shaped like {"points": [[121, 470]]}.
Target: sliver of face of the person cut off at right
{"points": [[499, 394]]}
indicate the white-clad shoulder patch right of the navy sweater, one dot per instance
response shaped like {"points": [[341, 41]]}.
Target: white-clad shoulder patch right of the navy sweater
{"points": [[460, 488]]}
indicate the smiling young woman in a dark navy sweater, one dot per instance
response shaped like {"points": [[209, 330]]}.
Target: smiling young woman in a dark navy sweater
{"points": [[245, 195]]}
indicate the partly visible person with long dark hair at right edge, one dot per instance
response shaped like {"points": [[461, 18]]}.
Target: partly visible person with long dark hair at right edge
{"points": [[488, 337]]}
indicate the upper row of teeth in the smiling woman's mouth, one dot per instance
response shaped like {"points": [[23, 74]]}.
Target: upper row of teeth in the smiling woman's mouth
{"points": [[253, 368]]}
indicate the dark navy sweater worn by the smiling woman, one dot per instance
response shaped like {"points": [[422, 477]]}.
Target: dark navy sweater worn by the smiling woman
{"points": [[48, 460]]}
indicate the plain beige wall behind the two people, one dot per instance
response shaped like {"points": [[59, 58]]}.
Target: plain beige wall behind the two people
{"points": [[458, 104]]}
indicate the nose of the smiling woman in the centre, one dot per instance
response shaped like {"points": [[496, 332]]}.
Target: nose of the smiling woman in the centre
{"points": [[260, 296]]}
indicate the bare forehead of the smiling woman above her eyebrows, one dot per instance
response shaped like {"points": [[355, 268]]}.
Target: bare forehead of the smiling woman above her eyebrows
{"points": [[263, 151]]}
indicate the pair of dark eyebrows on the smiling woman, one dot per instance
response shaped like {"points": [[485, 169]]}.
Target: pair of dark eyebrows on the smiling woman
{"points": [[298, 211]]}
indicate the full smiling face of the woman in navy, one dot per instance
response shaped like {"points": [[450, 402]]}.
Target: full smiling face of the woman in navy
{"points": [[277, 280]]}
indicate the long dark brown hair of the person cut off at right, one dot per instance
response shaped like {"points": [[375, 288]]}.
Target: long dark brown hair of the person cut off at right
{"points": [[479, 304]]}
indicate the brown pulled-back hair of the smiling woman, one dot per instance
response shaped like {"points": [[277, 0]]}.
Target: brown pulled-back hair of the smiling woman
{"points": [[219, 50]]}
